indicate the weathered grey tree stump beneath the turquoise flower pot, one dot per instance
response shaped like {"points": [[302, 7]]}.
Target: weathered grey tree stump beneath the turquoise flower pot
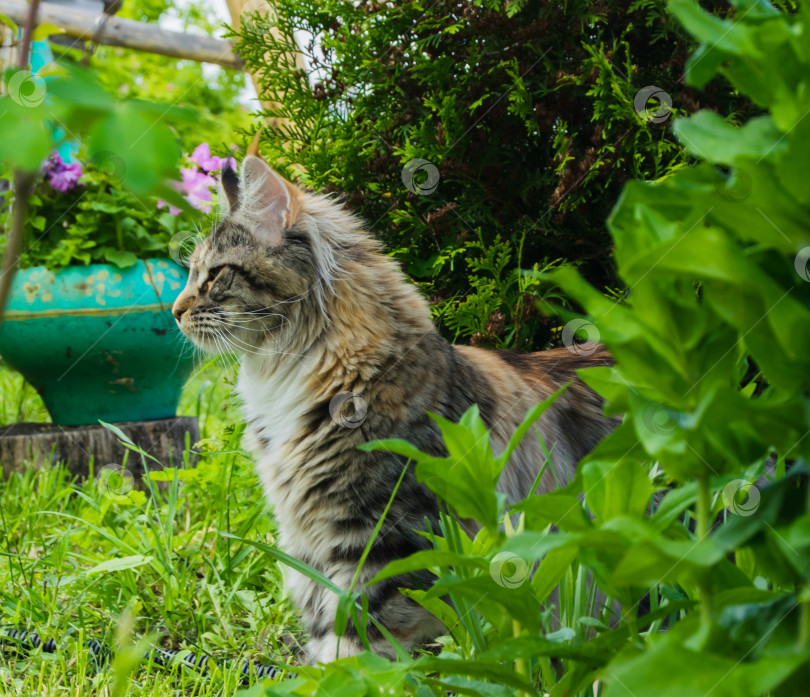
{"points": [[163, 439]]}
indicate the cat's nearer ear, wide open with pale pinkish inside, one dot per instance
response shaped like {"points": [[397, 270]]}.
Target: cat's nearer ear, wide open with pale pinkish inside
{"points": [[267, 199]]}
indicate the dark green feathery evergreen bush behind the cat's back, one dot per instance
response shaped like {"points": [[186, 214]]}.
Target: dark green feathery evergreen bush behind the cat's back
{"points": [[521, 115]]}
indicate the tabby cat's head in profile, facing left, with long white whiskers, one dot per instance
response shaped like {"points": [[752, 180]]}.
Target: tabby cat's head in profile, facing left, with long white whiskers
{"points": [[268, 267]]}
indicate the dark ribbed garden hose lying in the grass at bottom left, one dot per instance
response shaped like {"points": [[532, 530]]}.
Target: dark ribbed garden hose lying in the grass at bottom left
{"points": [[25, 641]]}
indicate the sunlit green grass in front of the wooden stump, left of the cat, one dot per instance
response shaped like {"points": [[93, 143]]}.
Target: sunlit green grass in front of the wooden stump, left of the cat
{"points": [[188, 586]]}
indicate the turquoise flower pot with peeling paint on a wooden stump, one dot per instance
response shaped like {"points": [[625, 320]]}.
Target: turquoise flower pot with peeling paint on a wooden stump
{"points": [[99, 342]]}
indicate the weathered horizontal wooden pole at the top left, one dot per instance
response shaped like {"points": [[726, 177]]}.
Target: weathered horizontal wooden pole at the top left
{"points": [[128, 33]]}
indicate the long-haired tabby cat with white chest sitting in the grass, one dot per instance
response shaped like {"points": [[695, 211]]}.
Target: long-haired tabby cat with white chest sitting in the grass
{"points": [[291, 281]]}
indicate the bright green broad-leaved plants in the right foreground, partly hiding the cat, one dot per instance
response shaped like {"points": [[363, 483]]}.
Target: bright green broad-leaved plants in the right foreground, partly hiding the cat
{"points": [[677, 511]]}
